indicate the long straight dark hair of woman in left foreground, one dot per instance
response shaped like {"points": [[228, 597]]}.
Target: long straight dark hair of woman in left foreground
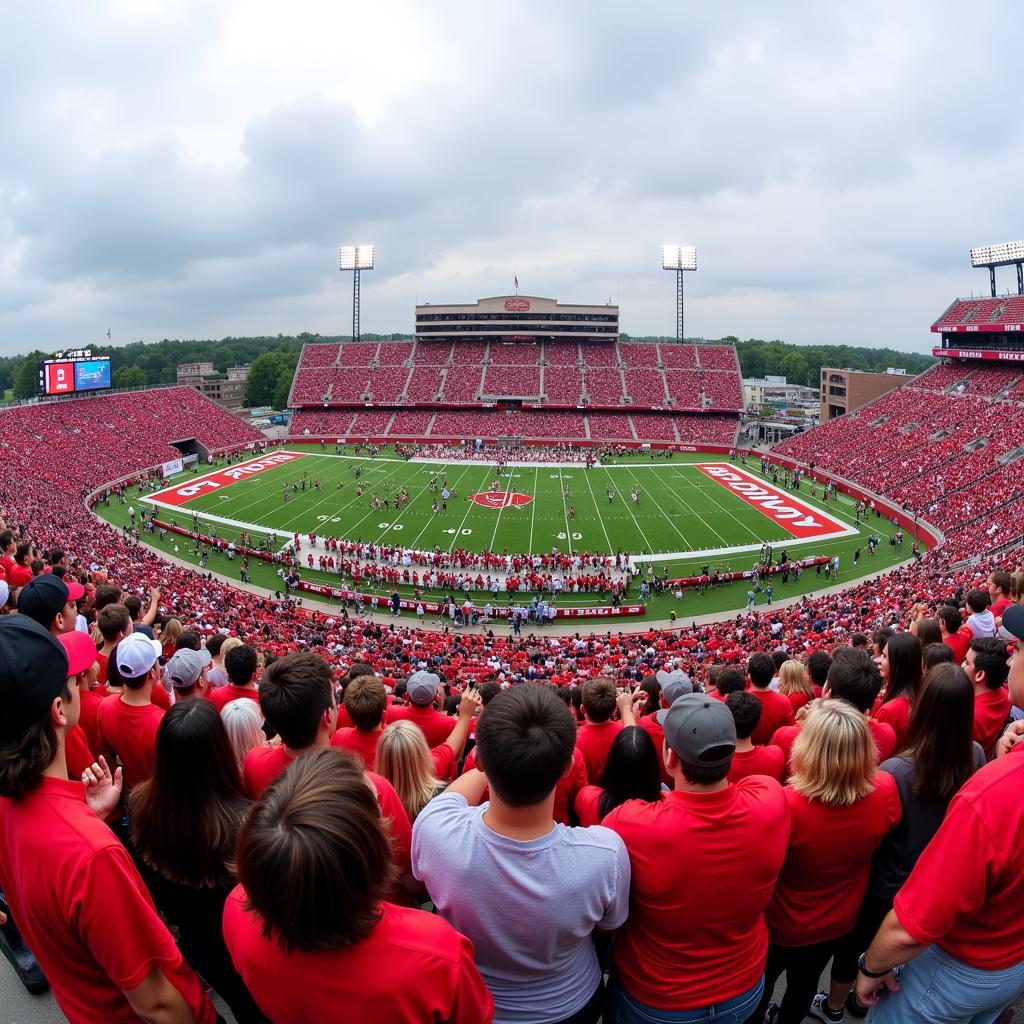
{"points": [[186, 819]]}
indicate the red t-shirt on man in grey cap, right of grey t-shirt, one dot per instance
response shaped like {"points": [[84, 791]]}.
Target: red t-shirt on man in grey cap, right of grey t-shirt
{"points": [[698, 936]]}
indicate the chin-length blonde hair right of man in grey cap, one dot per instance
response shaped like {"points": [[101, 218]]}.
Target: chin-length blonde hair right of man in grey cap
{"points": [[835, 757]]}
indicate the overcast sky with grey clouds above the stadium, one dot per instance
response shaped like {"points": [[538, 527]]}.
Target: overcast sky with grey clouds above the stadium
{"points": [[180, 169]]}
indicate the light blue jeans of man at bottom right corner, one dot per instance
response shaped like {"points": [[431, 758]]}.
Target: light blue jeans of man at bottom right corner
{"points": [[937, 989]]}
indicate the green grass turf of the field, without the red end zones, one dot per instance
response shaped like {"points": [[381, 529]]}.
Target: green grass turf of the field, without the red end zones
{"points": [[680, 511]]}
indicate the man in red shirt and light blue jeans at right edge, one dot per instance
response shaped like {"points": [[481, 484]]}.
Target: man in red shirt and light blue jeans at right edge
{"points": [[972, 932]]}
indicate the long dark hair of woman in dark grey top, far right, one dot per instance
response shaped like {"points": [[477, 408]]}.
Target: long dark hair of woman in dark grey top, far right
{"points": [[940, 741]]}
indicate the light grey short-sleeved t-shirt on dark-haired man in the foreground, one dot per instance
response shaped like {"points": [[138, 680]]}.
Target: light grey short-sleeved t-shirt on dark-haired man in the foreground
{"points": [[529, 907]]}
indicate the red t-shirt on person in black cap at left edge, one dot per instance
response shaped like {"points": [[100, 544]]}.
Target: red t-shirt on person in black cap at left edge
{"points": [[83, 909]]}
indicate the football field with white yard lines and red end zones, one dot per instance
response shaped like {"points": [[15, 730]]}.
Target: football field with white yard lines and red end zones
{"points": [[679, 514]]}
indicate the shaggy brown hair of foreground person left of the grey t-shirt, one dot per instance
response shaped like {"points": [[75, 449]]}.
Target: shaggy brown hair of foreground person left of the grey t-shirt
{"points": [[314, 856]]}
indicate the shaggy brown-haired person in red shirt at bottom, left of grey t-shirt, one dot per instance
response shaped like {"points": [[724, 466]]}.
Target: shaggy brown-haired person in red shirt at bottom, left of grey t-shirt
{"points": [[319, 830]]}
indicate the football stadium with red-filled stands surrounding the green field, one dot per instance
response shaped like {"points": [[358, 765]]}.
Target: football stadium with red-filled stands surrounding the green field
{"points": [[515, 495]]}
